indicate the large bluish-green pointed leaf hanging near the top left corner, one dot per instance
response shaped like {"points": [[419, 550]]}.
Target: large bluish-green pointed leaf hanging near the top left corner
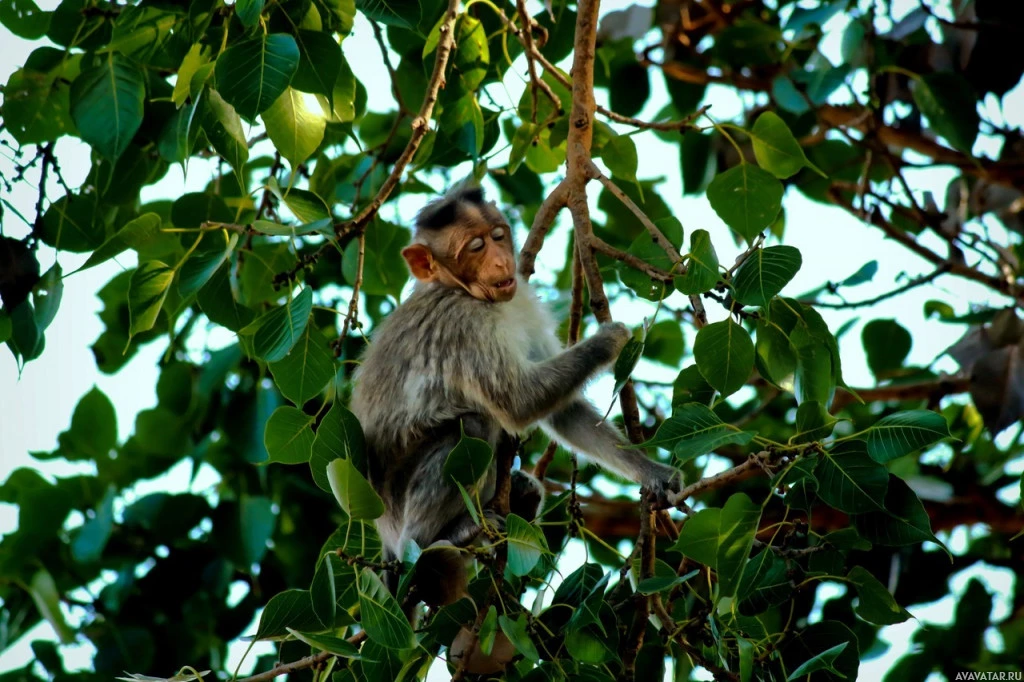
{"points": [[107, 105]]}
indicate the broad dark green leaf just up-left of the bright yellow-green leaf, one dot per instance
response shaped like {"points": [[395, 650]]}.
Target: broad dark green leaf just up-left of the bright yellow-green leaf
{"points": [[252, 74]]}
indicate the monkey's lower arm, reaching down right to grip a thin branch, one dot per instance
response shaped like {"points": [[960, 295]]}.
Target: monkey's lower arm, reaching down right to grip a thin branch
{"points": [[583, 430]]}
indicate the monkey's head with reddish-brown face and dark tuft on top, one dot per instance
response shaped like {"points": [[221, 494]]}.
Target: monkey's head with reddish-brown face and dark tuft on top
{"points": [[464, 242]]}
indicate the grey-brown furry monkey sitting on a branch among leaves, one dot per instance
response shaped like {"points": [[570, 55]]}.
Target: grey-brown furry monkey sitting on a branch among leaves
{"points": [[474, 351]]}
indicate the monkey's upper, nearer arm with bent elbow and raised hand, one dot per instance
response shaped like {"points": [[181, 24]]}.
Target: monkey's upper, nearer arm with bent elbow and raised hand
{"points": [[519, 394]]}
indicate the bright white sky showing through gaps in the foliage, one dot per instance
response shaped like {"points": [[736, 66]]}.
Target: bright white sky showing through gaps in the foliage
{"points": [[35, 407]]}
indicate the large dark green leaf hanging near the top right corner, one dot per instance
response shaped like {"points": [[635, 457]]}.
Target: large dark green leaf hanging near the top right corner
{"points": [[951, 105]]}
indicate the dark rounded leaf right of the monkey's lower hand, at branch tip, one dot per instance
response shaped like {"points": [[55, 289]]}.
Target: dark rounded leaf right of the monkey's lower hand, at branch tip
{"points": [[850, 481]]}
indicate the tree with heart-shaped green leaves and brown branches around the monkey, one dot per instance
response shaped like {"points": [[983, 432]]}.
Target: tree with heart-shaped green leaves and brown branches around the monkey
{"points": [[291, 247]]}
